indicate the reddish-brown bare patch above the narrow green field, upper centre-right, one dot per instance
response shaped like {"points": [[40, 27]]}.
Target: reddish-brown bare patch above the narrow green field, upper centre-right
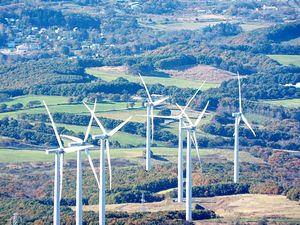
{"points": [[202, 72]]}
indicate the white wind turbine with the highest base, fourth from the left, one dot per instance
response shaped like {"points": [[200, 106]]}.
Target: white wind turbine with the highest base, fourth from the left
{"points": [[150, 105]]}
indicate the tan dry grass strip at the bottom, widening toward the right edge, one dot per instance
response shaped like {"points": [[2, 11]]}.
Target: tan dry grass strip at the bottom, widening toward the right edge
{"points": [[245, 206]]}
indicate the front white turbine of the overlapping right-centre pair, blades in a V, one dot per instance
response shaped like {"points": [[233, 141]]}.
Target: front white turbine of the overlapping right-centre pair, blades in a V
{"points": [[191, 135]]}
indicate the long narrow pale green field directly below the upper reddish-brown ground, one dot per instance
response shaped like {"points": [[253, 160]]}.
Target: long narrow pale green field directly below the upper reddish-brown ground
{"points": [[109, 75]]}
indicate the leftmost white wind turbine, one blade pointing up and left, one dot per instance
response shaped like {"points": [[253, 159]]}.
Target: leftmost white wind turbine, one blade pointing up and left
{"points": [[59, 152]]}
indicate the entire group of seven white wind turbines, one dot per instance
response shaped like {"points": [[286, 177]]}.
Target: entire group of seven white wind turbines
{"points": [[79, 145]]}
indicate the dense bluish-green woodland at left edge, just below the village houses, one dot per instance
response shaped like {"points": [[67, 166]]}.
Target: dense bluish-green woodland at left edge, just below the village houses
{"points": [[41, 72]]}
